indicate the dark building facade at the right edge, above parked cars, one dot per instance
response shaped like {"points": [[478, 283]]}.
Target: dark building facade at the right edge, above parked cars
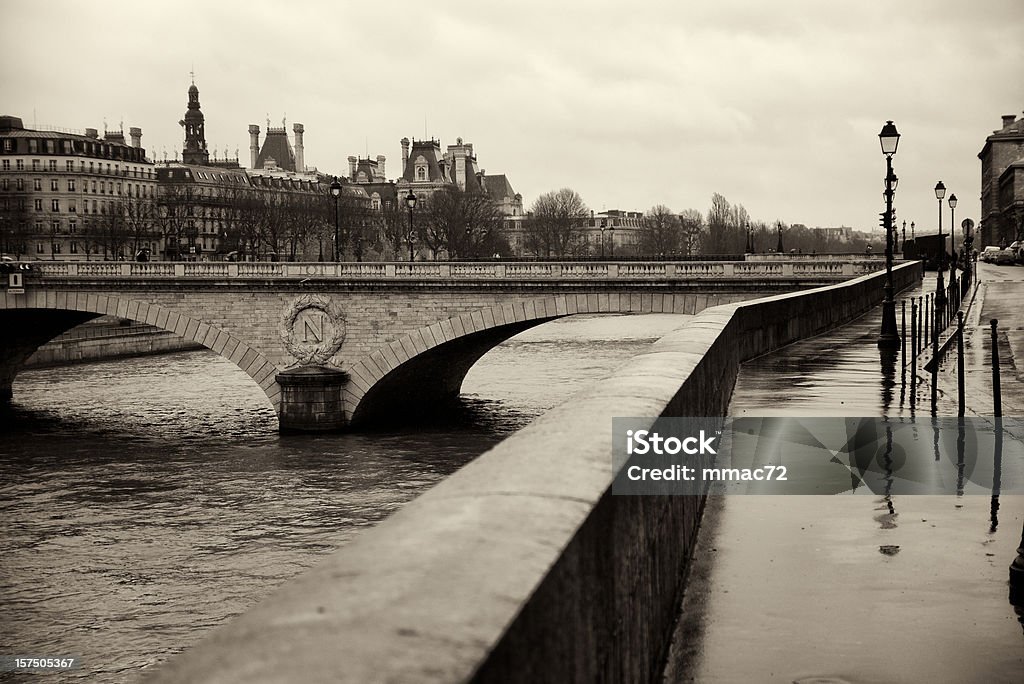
{"points": [[1002, 194]]}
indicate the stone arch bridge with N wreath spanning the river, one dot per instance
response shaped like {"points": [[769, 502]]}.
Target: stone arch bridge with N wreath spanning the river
{"points": [[346, 345]]}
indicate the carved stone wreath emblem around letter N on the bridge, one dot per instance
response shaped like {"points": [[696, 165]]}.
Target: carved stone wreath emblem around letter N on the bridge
{"points": [[313, 330]]}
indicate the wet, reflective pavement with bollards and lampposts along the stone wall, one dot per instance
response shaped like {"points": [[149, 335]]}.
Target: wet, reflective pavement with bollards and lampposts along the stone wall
{"points": [[864, 588]]}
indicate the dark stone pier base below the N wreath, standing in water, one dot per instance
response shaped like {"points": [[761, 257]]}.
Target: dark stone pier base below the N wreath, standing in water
{"points": [[312, 400]]}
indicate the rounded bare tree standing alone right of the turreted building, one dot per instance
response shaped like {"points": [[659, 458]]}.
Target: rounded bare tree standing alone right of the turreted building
{"points": [[554, 227]]}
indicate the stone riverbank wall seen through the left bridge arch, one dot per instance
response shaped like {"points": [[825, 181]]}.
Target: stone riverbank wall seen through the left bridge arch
{"points": [[107, 338]]}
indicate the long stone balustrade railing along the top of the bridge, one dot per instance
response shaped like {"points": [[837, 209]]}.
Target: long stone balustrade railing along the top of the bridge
{"points": [[831, 270]]}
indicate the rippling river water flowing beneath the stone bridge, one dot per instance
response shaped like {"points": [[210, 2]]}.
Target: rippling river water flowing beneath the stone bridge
{"points": [[147, 501]]}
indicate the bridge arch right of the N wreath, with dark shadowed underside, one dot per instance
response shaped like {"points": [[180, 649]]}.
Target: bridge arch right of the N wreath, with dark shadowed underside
{"points": [[417, 371]]}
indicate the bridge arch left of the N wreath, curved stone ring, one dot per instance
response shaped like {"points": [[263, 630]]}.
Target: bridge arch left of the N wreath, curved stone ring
{"points": [[39, 318]]}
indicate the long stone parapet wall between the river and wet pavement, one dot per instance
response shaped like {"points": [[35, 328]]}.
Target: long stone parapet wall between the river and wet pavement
{"points": [[523, 567]]}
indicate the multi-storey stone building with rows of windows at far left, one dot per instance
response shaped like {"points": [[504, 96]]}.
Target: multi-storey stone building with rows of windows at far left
{"points": [[69, 196]]}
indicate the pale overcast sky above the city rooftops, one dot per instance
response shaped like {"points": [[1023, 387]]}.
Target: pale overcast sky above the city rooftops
{"points": [[776, 106]]}
